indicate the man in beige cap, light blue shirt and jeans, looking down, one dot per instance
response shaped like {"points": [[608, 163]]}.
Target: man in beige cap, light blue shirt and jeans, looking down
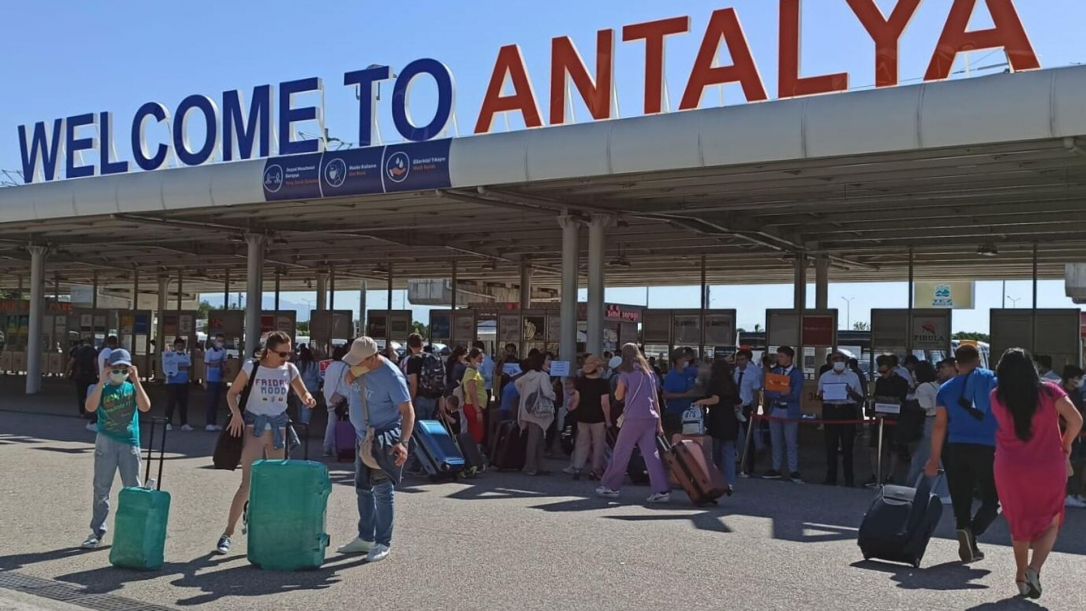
{"points": [[384, 418]]}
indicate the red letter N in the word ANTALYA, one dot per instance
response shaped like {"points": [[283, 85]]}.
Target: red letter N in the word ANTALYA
{"points": [[566, 65]]}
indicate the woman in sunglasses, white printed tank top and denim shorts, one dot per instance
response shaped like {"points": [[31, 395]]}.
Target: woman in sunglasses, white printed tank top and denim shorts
{"points": [[264, 422]]}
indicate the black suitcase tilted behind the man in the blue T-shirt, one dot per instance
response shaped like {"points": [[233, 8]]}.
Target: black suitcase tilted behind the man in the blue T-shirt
{"points": [[900, 524]]}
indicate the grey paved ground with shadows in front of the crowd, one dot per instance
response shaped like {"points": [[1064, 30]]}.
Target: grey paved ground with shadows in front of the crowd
{"points": [[501, 542]]}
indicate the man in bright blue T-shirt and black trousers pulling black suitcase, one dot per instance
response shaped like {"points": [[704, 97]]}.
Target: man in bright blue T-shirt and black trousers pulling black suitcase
{"points": [[964, 419]]}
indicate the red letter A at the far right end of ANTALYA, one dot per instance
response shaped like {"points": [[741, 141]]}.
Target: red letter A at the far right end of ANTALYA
{"points": [[1008, 34]]}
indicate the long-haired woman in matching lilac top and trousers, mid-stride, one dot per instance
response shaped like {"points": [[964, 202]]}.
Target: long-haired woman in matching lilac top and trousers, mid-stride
{"points": [[641, 425]]}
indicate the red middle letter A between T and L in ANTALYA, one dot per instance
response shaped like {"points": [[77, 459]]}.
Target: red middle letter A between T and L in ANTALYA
{"points": [[724, 24]]}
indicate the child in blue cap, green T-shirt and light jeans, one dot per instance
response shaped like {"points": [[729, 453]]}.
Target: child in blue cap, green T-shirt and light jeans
{"points": [[118, 399]]}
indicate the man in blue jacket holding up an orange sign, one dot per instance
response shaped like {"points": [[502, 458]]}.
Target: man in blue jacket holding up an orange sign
{"points": [[785, 389]]}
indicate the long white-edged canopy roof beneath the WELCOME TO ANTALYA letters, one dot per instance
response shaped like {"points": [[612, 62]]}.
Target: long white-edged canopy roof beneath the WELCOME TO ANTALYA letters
{"points": [[952, 171]]}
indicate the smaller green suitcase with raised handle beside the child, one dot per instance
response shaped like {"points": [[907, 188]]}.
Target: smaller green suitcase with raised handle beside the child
{"points": [[140, 529]]}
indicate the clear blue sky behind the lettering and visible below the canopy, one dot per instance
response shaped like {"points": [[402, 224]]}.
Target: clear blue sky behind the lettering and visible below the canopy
{"points": [[111, 56]]}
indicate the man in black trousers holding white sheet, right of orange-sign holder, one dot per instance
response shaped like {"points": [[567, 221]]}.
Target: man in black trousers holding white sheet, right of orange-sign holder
{"points": [[840, 391]]}
